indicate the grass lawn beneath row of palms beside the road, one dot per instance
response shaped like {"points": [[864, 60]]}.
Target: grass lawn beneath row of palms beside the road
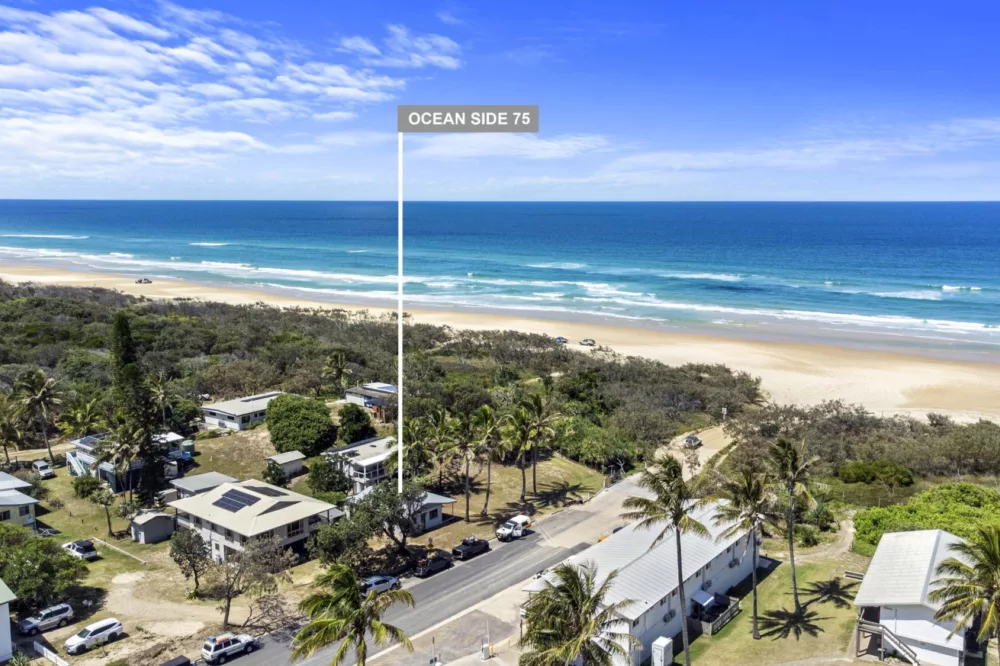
{"points": [[560, 482]]}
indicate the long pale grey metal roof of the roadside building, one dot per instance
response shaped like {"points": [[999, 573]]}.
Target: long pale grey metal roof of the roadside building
{"points": [[648, 573]]}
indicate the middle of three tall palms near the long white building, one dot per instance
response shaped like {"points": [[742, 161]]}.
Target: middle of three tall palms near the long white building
{"points": [[749, 505]]}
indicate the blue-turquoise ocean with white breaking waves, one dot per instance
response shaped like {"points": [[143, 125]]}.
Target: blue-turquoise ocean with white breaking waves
{"points": [[885, 275]]}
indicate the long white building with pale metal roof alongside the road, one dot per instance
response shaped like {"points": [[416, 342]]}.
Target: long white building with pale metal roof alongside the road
{"points": [[648, 576]]}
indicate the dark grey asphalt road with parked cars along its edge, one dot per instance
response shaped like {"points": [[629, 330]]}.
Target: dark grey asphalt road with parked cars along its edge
{"points": [[452, 591]]}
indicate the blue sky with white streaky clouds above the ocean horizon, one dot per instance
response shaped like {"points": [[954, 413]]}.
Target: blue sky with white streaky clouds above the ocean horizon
{"points": [[259, 99]]}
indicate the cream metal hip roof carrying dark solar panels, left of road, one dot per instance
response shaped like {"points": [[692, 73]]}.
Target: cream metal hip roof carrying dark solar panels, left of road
{"points": [[267, 513]]}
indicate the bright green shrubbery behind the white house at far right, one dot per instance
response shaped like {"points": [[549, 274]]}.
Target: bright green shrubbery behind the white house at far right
{"points": [[958, 508]]}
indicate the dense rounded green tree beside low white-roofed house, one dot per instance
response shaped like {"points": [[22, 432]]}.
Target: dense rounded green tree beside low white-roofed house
{"points": [[300, 424]]}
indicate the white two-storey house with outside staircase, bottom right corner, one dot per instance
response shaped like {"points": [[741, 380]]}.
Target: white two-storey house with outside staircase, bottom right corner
{"points": [[894, 599]]}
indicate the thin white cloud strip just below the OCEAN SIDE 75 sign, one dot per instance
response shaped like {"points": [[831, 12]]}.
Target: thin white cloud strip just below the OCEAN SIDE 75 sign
{"points": [[525, 146]]}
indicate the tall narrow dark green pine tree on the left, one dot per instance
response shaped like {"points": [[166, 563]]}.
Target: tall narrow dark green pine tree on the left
{"points": [[134, 402]]}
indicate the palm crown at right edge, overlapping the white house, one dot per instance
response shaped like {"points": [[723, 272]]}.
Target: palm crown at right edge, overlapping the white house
{"points": [[968, 586]]}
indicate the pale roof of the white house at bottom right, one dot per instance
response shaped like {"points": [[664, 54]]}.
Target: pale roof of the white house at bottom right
{"points": [[904, 567]]}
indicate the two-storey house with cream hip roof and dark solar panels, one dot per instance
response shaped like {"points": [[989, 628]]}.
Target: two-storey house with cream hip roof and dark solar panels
{"points": [[228, 515]]}
